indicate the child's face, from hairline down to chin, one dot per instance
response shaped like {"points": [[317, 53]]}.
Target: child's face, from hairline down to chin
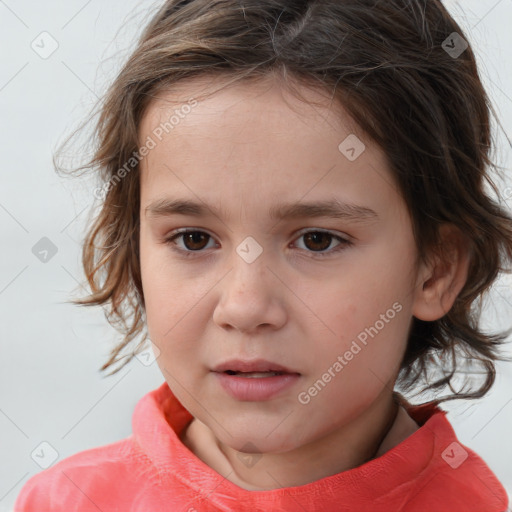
{"points": [[341, 321]]}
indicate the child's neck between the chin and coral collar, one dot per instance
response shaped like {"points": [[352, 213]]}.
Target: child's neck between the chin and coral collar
{"points": [[340, 450]]}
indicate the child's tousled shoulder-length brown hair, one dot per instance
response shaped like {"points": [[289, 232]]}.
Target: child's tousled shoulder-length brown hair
{"points": [[386, 64]]}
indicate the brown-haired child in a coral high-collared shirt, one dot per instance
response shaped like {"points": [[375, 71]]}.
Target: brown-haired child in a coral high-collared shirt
{"points": [[256, 129]]}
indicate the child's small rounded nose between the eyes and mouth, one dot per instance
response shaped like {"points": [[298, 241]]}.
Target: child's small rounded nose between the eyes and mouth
{"points": [[252, 297]]}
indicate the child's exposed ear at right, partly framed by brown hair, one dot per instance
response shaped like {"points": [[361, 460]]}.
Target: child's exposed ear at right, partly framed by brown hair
{"points": [[441, 279]]}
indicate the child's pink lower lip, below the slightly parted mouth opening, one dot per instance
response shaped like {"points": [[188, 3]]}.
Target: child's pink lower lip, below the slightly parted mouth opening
{"points": [[257, 389]]}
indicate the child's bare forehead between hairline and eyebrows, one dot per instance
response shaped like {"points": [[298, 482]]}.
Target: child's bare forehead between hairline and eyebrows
{"points": [[254, 142]]}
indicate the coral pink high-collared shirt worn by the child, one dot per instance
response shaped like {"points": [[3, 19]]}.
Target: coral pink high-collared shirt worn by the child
{"points": [[153, 471]]}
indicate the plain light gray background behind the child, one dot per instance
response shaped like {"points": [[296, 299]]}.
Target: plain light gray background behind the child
{"points": [[50, 387]]}
